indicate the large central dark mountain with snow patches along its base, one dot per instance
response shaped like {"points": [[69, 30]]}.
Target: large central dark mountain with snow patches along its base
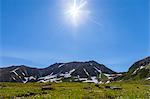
{"points": [[89, 71]]}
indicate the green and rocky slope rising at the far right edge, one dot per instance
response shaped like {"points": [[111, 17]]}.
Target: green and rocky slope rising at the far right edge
{"points": [[139, 70]]}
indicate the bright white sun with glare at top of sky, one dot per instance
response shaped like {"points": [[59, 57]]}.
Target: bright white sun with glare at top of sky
{"points": [[76, 11]]}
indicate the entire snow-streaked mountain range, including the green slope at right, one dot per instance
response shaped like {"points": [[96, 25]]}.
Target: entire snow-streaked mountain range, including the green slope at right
{"points": [[89, 71]]}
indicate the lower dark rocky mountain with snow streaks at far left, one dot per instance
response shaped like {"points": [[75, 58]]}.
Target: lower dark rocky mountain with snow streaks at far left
{"points": [[19, 74]]}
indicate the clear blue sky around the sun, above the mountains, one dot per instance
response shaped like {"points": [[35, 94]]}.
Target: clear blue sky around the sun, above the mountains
{"points": [[37, 33]]}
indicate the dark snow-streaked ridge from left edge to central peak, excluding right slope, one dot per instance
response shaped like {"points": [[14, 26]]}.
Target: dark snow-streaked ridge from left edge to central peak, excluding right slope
{"points": [[90, 71]]}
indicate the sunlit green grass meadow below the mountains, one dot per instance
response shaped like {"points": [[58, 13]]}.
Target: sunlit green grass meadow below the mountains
{"points": [[72, 90]]}
